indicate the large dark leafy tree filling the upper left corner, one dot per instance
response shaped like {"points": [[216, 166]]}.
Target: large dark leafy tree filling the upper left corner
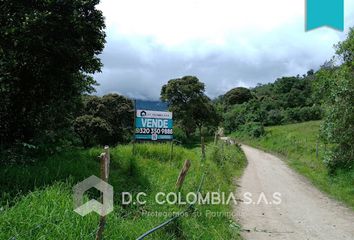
{"points": [[47, 51]]}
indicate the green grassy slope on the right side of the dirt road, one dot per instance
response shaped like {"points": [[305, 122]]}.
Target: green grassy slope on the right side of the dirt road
{"points": [[296, 143]]}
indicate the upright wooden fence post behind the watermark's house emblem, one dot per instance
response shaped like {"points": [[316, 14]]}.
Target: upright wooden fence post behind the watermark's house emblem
{"points": [[105, 161]]}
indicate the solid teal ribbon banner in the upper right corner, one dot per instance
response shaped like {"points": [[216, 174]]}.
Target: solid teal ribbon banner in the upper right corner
{"points": [[321, 13]]}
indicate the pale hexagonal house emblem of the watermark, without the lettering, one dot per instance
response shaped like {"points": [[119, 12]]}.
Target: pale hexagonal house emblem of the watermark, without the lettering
{"points": [[93, 205]]}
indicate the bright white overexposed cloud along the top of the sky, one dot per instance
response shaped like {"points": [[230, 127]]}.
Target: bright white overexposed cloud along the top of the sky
{"points": [[176, 22]]}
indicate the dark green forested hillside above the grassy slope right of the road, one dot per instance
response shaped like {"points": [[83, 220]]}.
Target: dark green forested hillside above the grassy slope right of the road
{"points": [[287, 100]]}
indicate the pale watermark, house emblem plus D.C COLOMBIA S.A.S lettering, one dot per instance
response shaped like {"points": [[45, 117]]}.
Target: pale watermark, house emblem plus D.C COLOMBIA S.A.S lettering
{"points": [[161, 198]]}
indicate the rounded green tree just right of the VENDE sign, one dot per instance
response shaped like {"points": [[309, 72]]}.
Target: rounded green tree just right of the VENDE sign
{"points": [[190, 106]]}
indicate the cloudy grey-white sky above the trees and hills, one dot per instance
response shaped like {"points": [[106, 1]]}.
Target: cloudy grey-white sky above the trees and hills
{"points": [[225, 43]]}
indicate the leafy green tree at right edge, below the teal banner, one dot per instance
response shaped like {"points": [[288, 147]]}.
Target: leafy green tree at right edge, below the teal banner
{"points": [[338, 97]]}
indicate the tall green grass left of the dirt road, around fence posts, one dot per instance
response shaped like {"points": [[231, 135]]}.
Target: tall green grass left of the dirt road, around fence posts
{"points": [[42, 208]]}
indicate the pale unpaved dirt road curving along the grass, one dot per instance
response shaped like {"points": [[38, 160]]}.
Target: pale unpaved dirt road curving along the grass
{"points": [[303, 213]]}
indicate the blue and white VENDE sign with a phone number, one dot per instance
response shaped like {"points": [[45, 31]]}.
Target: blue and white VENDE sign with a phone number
{"points": [[152, 124]]}
